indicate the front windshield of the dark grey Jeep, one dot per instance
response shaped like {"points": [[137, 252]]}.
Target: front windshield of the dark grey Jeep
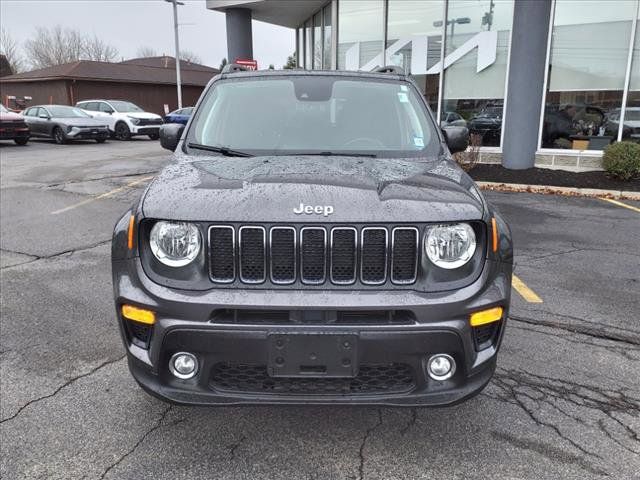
{"points": [[315, 114]]}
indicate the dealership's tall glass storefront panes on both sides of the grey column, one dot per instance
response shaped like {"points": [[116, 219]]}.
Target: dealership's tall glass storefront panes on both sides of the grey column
{"points": [[586, 77]]}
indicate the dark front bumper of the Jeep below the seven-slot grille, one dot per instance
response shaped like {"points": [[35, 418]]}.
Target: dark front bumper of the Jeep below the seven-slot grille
{"points": [[185, 322]]}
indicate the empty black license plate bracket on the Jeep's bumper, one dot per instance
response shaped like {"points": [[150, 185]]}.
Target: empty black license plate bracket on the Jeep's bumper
{"points": [[329, 355]]}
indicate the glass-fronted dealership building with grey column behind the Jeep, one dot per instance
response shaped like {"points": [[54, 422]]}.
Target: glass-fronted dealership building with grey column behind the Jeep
{"points": [[541, 82]]}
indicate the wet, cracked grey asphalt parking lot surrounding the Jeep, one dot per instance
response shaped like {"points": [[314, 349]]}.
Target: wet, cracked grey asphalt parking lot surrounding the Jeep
{"points": [[564, 403]]}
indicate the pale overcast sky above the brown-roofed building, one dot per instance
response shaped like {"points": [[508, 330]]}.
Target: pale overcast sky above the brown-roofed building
{"points": [[131, 24]]}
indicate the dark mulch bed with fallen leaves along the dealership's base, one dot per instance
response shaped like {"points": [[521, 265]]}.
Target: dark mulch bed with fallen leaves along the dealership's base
{"points": [[556, 178]]}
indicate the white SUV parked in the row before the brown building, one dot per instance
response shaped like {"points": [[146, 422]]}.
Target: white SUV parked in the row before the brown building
{"points": [[124, 119]]}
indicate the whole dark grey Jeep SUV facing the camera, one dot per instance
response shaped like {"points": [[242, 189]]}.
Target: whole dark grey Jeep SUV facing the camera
{"points": [[312, 243]]}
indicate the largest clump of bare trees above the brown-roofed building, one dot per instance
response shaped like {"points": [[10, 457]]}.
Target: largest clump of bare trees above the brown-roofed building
{"points": [[55, 46]]}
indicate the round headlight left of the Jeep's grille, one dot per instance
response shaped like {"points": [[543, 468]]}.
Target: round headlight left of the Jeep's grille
{"points": [[175, 244]]}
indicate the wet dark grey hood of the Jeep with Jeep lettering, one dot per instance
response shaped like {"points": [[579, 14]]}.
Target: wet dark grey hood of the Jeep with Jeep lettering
{"points": [[269, 188]]}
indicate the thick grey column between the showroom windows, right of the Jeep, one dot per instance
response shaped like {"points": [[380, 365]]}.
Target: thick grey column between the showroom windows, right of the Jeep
{"points": [[526, 82]]}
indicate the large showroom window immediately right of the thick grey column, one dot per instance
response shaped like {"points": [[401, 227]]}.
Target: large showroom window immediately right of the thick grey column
{"points": [[587, 65]]}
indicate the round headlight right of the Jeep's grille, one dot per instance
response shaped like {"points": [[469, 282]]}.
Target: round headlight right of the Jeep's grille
{"points": [[450, 246]]}
